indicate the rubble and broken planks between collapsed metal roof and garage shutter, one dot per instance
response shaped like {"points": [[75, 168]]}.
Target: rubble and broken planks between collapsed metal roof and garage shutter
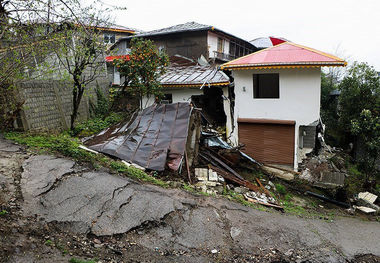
{"points": [[222, 160]]}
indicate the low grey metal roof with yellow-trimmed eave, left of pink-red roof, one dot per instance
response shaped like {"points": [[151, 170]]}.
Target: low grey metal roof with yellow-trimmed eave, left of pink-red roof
{"points": [[193, 76]]}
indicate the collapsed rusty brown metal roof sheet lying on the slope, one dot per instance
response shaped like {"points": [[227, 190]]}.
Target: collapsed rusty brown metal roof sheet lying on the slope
{"points": [[154, 138]]}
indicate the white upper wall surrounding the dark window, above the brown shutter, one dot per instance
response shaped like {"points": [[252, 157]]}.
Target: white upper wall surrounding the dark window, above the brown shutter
{"points": [[299, 99]]}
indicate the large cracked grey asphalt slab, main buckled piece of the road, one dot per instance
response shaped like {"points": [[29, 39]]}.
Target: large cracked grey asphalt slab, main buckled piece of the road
{"points": [[112, 205]]}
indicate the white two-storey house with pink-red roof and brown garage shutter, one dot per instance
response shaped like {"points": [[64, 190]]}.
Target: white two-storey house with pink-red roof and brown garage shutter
{"points": [[277, 102]]}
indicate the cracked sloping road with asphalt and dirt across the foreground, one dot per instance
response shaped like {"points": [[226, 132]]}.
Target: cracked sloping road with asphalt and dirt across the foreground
{"points": [[57, 210]]}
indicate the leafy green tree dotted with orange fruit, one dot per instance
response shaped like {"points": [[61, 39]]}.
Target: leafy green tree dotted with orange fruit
{"points": [[142, 68]]}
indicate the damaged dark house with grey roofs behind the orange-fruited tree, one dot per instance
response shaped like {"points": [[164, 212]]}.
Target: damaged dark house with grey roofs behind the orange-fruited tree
{"points": [[194, 50]]}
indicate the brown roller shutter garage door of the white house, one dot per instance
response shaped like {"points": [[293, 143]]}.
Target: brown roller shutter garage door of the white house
{"points": [[268, 141]]}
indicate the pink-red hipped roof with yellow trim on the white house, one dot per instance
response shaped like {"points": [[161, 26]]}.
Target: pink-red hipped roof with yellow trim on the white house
{"points": [[285, 55]]}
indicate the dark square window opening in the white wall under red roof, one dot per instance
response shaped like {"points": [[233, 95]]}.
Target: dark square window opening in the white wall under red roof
{"points": [[266, 86]]}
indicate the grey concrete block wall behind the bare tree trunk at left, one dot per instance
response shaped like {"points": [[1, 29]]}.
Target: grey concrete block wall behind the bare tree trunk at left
{"points": [[48, 103]]}
